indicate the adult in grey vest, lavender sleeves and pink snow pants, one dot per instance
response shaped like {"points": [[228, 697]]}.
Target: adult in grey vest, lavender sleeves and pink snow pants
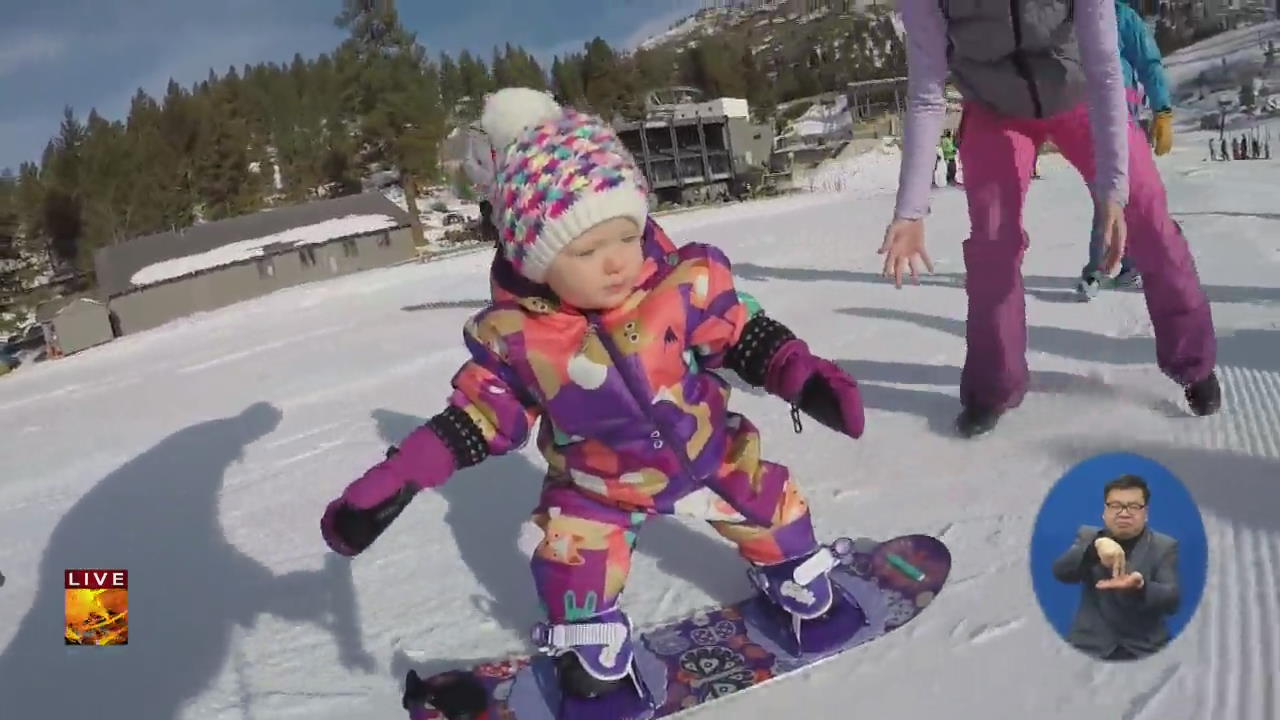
{"points": [[1032, 71]]}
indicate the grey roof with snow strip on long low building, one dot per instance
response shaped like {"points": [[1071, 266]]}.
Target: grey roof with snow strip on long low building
{"points": [[158, 258]]}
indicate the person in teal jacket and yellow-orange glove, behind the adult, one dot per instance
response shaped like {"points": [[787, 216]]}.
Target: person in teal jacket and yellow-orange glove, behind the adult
{"points": [[1141, 65]]}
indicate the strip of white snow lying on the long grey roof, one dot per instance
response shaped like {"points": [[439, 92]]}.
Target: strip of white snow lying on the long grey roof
{"points": [[249, 249]]}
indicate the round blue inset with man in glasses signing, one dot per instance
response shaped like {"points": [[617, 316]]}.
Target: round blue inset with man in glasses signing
{"points": [[1119, 557]]}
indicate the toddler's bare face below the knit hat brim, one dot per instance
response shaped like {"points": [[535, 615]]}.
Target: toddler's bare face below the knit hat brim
{"points": [[600, 268]]}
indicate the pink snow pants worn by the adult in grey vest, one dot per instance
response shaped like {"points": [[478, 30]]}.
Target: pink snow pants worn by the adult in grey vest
{"points": [[998, 154]]}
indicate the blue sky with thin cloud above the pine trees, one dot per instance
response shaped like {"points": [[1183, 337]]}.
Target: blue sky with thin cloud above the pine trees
{"points": [[98, 53]]}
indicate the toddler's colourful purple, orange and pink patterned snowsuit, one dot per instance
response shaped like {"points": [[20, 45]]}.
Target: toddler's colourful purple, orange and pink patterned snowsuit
{"points": [[634, 423]]}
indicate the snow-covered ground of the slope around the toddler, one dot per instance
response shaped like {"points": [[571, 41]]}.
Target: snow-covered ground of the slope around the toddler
{"points": [[243, 423]]}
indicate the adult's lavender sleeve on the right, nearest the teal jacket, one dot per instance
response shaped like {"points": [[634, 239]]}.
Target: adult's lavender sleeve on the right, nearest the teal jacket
{"points": [[1109, 117]]}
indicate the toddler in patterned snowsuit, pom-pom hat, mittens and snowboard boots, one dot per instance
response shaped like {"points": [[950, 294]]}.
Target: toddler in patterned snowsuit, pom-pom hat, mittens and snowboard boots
{"points": [[606, 331]]}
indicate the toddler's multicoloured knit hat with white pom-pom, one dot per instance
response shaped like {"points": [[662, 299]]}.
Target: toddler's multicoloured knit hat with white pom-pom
{"points": [[557, 174]]}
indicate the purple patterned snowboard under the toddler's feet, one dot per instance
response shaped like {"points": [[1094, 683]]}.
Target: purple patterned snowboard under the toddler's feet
{"points": [[707, 655]]}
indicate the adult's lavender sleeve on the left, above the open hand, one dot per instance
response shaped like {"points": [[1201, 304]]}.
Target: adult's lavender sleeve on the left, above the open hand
{"points": [[927, 74]]}
